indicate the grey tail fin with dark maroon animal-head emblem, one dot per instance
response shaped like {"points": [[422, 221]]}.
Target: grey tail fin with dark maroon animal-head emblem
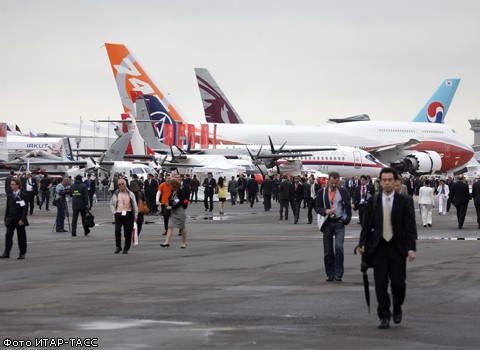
{"points": [[217, 107]]}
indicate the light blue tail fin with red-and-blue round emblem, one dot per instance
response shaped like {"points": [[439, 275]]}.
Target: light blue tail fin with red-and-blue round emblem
{"points": [[435, 110]]}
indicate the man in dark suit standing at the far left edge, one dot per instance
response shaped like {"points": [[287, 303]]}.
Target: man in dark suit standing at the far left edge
{"points": [[15, 218]]}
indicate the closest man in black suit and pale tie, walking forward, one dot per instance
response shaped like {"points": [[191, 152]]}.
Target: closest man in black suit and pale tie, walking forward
{"points": [[389, 241]]}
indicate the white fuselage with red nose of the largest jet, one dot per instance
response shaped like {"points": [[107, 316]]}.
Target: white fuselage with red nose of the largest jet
{"points": [[367, 135]]}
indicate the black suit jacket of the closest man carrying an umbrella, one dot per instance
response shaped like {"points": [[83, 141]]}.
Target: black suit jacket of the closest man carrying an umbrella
{"points": [[403, 225]]}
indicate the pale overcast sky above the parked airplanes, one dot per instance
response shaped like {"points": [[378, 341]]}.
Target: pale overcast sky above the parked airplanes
{"points": [[304, 60]]}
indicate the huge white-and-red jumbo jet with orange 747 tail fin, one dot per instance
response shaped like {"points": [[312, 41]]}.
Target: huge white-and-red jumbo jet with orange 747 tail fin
{"points": [[419, 148]]}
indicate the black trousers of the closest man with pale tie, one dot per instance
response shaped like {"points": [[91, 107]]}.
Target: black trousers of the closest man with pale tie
{"points": [[389, 266]]}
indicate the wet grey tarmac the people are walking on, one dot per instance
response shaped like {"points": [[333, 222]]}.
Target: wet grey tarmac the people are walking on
{"points": [[245, 281]]}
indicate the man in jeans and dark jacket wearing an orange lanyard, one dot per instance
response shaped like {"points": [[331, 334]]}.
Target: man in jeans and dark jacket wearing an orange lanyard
{"points": [[334, 201]]}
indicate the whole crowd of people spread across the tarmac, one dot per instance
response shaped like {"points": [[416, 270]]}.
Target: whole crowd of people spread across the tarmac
{"points": [[386, 212]]}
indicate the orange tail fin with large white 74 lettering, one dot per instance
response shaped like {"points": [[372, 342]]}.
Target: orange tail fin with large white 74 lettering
{"points": [[130, 76]]}
